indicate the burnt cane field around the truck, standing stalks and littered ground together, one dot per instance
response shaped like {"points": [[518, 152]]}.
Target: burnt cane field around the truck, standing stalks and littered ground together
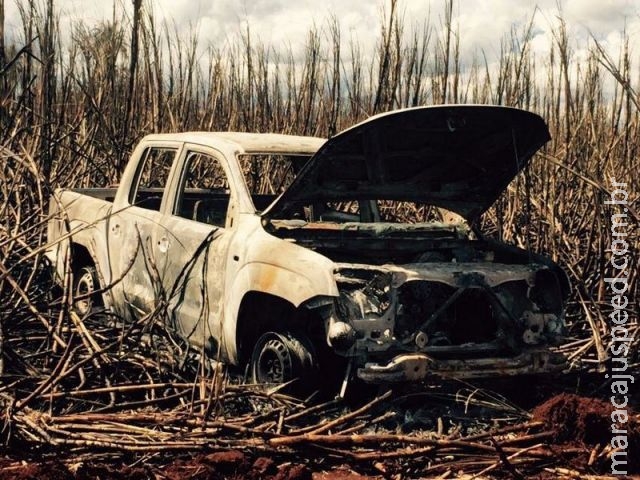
{"points": [[96, 397]]}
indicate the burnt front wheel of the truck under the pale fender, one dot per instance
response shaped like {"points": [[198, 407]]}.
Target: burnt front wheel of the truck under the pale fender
{"points": [[284, 357]]}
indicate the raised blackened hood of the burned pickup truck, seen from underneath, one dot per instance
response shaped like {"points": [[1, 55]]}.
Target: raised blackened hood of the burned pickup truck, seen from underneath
{"points": [[458, 157]]}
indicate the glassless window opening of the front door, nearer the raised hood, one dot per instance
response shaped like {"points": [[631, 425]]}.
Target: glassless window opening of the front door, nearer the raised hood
{"points": [[204, 193]]}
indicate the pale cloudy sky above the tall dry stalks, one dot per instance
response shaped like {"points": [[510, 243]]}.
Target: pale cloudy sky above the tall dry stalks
{"points": [[285, 23]]}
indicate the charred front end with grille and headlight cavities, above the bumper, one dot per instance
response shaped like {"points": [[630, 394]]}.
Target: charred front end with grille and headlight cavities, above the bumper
{"points": [[421, 307]]}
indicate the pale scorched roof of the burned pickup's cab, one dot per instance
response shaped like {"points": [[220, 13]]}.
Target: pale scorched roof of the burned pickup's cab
{"points": [[247, 142]]}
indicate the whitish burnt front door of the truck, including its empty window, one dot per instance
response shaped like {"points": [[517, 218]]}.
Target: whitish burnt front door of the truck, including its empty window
{"points": [[191, 245]]}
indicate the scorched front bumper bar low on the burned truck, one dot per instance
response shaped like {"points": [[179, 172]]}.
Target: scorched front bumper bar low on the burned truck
{"points": [[417, 366]]}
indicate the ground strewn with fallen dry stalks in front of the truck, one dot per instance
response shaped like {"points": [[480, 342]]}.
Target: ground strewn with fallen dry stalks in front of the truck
{"points": [[133, 402]]}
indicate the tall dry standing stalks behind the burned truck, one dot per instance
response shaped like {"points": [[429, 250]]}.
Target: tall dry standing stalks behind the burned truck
{"points": [[71, 113]]}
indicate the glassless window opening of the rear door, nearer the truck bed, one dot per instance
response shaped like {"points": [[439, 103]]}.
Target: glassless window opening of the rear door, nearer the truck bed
{"points": [[152, 177]]}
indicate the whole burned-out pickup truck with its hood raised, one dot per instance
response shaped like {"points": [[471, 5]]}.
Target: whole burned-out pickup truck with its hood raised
{"points": [[359, 255]]}
